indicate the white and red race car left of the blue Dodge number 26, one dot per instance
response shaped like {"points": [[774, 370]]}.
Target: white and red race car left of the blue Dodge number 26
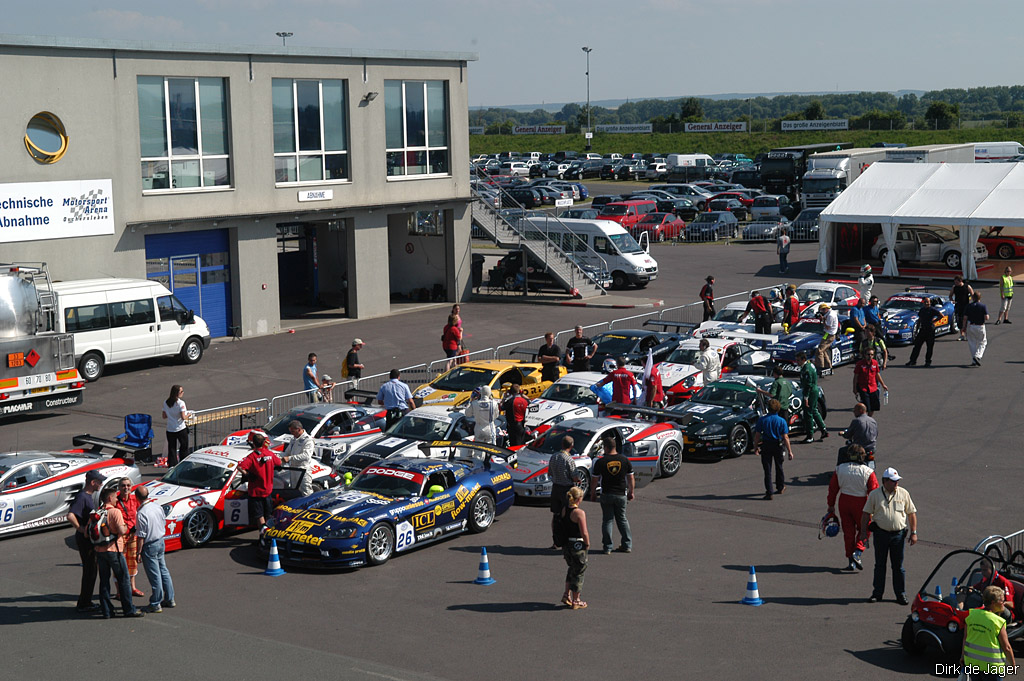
{"points": [[204, 494]]}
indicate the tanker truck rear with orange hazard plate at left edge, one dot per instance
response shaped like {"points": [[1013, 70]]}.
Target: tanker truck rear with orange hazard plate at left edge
{"points": [[37, 365]]}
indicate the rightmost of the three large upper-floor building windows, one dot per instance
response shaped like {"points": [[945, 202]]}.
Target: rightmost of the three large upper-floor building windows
{"points": [[416, 127]]}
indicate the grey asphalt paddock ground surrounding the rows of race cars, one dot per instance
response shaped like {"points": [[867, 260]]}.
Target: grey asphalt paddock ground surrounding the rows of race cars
{"points": [[670, 609]]}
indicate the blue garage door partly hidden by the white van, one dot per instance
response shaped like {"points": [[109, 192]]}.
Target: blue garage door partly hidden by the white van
{"points": [[195, 267]]}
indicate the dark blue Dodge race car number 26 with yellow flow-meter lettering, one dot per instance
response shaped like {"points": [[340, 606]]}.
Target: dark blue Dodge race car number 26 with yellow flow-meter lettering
{"points": [[396, 506]]}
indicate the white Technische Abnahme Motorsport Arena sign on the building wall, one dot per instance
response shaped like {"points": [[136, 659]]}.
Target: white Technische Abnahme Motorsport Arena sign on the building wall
{"points": [[34, 211]]}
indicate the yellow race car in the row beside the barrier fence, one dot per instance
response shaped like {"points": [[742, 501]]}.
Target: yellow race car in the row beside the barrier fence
{"points": [[455, 387]]}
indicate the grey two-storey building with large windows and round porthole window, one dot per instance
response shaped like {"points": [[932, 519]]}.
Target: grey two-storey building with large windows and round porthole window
{"points": [[250, 181]]}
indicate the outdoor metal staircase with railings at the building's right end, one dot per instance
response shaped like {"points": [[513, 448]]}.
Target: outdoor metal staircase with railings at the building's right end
{"points": [[520, 234]]}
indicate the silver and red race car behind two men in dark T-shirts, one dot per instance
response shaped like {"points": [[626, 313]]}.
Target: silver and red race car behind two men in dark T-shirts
{"points": [[656, 452]]}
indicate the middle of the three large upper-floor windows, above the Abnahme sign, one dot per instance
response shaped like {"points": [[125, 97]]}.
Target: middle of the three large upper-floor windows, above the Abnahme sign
{"points": [[311, 141]]}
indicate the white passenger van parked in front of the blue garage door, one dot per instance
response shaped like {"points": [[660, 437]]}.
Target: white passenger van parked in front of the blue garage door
{"points": [[121, 320]]}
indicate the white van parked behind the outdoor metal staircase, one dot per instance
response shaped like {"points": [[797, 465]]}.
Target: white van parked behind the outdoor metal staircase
{"points": [[603, 244]]}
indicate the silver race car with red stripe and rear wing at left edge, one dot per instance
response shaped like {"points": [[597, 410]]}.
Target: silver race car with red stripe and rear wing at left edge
{"points": [[38, 488]]}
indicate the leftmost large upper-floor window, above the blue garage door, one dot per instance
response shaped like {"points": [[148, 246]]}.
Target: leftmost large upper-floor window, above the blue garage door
{"points": [[183, 125]]}
